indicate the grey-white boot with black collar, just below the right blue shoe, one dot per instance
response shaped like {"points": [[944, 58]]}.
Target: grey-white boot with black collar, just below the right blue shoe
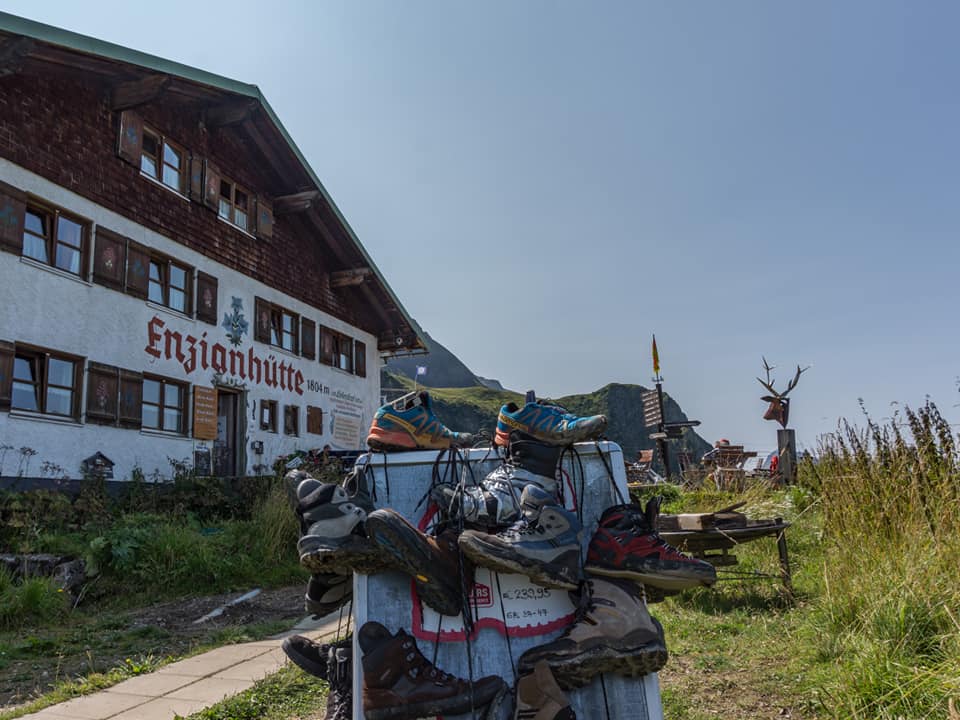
{"points": [[495, 502]]}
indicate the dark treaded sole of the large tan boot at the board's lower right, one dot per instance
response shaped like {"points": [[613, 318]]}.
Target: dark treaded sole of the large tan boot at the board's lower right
{"points": [[579, 670]]}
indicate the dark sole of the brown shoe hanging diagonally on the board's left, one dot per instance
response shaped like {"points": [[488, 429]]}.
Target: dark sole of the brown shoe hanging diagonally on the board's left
{"points": [[405, 546]]}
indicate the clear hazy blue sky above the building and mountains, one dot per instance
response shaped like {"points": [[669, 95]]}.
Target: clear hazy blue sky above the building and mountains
{"points": [[546, 184]]}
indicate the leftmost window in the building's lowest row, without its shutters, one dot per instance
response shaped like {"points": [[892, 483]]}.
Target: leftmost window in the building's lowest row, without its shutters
{"points": [[46, 383]]}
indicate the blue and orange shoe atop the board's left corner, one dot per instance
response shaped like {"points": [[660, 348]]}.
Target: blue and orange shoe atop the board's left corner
{"points": [[408, 423]]}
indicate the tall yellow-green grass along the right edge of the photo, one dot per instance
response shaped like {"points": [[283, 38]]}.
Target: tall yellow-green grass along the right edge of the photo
{"points": [[889, 617]]}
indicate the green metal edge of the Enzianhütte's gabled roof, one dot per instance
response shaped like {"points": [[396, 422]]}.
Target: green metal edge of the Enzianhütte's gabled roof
{"points": [[84, 43]]}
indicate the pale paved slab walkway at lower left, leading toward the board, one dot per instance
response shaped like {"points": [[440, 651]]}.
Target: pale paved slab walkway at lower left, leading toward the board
{"points": [[187, 686]]}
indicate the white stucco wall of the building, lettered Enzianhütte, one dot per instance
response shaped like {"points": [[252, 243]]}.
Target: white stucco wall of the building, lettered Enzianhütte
{"points": [[43, 307]]}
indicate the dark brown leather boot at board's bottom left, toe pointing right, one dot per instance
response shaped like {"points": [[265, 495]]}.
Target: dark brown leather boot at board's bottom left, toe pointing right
{"points": [[400, 683]]}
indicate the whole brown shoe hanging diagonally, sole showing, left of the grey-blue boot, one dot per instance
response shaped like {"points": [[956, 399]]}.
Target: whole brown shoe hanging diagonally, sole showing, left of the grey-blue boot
{"points": [[433, 562]]}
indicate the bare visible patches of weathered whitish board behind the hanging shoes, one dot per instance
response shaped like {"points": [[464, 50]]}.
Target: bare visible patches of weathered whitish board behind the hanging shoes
{"points": [[534, 615]]}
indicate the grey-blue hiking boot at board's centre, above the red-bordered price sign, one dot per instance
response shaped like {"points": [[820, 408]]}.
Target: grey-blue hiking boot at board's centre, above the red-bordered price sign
{"points": [[544, 544]]}
